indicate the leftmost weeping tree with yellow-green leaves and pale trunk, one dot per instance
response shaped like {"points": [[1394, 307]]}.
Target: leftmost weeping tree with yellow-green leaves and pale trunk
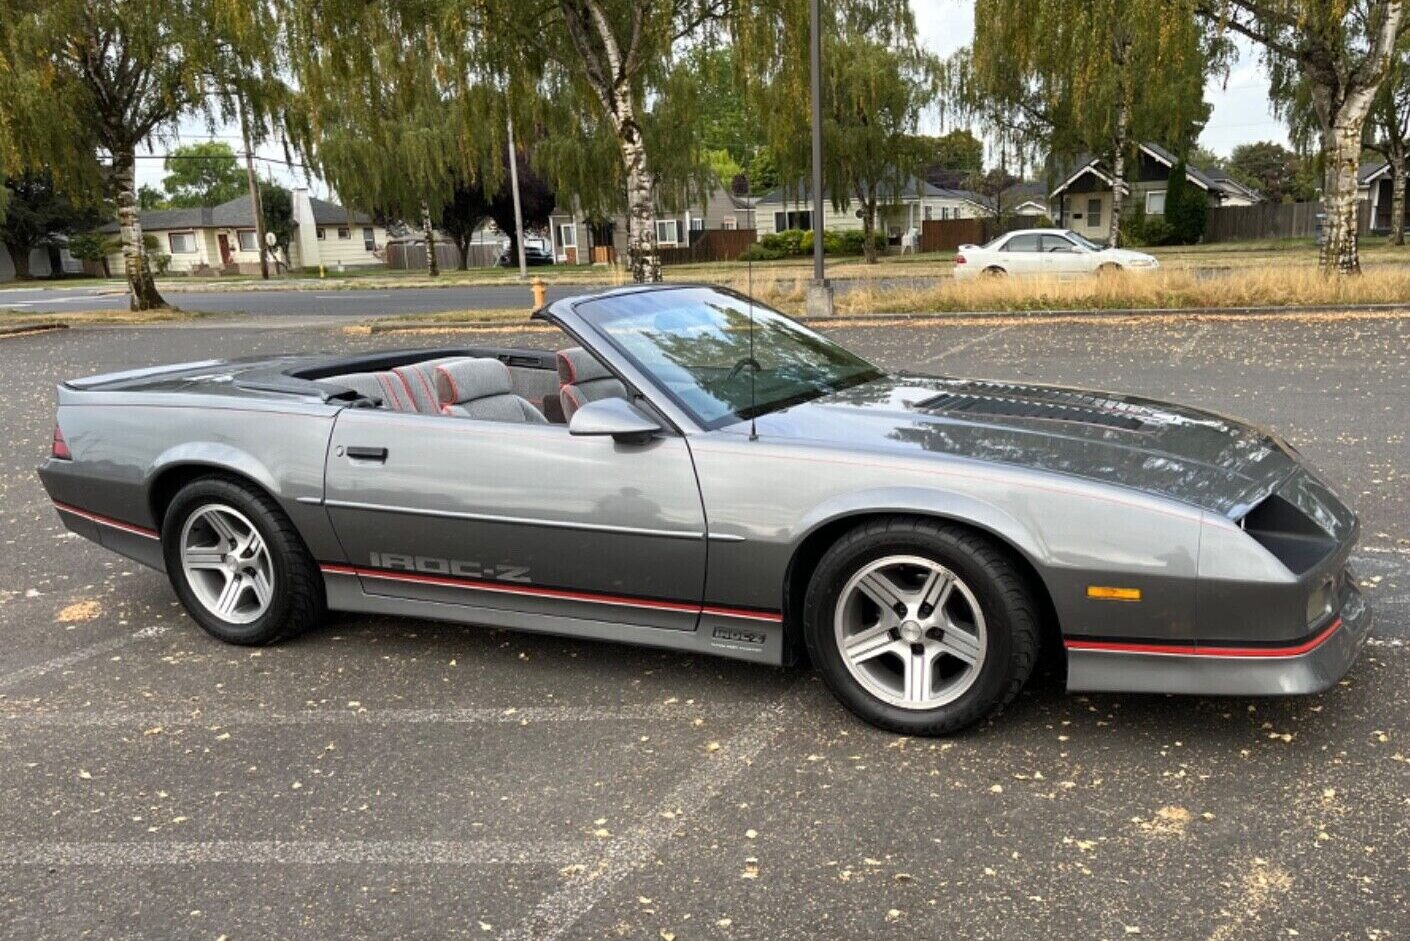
{"points": [[88, 83]]}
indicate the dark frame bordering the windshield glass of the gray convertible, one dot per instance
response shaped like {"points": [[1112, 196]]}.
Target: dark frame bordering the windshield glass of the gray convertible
{"points": [[613, 349]]}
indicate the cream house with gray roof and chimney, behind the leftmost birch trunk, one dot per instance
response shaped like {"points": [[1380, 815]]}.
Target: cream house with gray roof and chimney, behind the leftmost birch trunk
{"points": [[222, 239]]}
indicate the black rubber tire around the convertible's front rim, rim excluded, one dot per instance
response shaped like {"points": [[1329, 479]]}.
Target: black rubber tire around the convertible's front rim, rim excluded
{"points": [[1005, 596]]}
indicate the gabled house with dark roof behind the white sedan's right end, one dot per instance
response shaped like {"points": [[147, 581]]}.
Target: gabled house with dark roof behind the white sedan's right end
{"points": [[1082, 201]]}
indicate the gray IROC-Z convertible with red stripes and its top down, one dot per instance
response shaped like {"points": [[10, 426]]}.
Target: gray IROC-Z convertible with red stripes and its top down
{"points": [[697, 472]]}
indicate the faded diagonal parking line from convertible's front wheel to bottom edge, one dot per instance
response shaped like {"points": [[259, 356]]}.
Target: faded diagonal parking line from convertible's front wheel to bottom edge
{"points": [[559, 912]]}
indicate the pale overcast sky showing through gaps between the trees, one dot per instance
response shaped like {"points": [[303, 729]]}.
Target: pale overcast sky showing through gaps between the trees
{"points": [[1242, 114]]}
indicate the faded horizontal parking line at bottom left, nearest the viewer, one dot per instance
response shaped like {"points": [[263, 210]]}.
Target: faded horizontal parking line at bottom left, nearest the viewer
{"points": [[317, 853]]}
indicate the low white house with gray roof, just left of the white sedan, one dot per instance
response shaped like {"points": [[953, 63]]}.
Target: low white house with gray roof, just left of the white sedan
{"points": [[917, 202]]}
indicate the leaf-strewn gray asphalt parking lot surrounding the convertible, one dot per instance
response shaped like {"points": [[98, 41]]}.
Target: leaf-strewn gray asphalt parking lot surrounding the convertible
{"points": [[404, 779]]}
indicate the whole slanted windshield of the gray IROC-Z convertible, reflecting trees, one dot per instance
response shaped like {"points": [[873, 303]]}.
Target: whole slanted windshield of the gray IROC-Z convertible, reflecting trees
{"points": [[694, 344]]}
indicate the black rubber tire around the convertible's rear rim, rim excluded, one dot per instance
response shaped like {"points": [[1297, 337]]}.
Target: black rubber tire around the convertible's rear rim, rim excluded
{"points": [[298, 600]]}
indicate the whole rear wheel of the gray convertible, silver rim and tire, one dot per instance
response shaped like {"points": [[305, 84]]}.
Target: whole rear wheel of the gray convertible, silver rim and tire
{"points": [[238, 564]]}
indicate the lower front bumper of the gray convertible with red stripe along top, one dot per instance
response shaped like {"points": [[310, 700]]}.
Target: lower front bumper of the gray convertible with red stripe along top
{"points": [[1309, 667]]}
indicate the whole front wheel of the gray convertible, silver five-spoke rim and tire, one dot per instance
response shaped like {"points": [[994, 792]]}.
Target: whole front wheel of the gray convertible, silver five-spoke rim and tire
{"points": [[921, 627]]}
